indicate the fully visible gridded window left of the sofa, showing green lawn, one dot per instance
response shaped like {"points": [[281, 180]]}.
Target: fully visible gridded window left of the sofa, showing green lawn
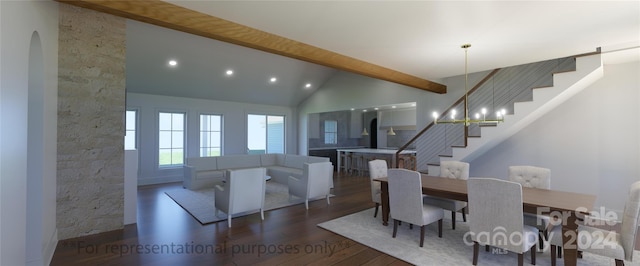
{"points": [[171, 139]]}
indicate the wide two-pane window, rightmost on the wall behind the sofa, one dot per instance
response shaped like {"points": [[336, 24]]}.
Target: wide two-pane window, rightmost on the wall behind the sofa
{"points": [[265, 134]]}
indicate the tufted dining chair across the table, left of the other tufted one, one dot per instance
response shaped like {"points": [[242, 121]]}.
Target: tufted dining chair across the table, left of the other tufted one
{"points": [[456, 170]]}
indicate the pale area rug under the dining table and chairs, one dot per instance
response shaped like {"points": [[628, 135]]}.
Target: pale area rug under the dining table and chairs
{"points": [[451, 249]]}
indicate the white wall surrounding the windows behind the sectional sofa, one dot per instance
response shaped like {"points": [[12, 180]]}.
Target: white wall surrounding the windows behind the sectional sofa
{"points": [[234, 122]]}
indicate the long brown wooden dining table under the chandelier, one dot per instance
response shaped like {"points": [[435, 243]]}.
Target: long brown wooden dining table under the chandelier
{"points": [[569, 205]]}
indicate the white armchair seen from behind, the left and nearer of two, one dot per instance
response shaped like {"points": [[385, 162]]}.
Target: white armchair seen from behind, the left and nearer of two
{"points": [[243, 191]]}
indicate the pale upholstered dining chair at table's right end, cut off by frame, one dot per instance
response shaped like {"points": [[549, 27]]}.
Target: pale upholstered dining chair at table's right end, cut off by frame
{"points": [[618, 246]]}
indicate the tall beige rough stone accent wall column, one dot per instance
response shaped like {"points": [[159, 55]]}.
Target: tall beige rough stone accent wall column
{"points": [[91, 105]]}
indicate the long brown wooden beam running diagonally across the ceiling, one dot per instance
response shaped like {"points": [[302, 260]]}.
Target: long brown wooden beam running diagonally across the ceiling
{"points": [[182, 19]]}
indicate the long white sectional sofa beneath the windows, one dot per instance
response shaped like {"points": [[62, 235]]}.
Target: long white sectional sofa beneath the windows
{"points": [[204, 172]]}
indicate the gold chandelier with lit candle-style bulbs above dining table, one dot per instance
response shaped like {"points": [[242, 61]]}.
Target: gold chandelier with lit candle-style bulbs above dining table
{"points": [[481, 117]]}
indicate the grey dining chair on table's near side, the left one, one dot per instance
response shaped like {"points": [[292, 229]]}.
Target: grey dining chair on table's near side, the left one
{"points": [[406, 204]]}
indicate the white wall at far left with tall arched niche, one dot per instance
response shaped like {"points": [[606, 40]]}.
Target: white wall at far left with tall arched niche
{"points": [[18, 21]]}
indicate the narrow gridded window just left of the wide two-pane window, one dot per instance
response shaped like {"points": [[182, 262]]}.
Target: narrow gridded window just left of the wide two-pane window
{"points": [[210, 135]]}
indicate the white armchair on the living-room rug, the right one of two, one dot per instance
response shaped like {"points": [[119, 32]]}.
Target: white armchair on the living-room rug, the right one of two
{"points": [[316, 181]]}
